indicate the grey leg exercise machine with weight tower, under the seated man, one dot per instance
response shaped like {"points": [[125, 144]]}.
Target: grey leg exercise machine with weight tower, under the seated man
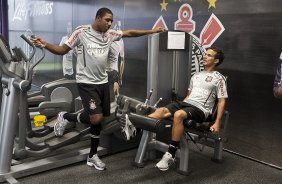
{"points": [[166, 67]]}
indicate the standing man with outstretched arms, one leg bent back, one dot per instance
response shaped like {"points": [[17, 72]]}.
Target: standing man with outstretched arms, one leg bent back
{"points": [[92, 42]]}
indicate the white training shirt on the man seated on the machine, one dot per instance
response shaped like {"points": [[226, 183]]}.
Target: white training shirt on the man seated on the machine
{"points": [[205, 87]]}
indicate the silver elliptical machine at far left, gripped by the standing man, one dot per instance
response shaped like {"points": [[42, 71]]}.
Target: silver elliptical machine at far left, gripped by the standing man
{"points": [[15, 146]]}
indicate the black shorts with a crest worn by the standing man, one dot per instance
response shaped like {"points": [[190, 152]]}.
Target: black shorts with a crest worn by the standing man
{"points": [[95, 98]]}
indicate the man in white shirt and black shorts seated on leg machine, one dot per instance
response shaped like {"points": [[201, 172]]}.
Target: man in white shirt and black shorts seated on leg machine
{"points": [[205, 87]]}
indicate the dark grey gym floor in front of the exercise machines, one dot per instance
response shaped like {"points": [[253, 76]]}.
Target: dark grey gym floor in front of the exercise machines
{"points": [[120, 169]]}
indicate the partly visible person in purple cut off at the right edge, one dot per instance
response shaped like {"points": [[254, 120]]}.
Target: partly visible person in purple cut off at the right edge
{"points": [[277, 86]]}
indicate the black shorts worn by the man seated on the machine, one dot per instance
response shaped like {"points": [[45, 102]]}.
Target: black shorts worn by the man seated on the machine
{"points": [[193, 112]]}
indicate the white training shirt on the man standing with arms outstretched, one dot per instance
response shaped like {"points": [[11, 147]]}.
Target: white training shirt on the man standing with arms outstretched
{"points": [[92, 53]]}
